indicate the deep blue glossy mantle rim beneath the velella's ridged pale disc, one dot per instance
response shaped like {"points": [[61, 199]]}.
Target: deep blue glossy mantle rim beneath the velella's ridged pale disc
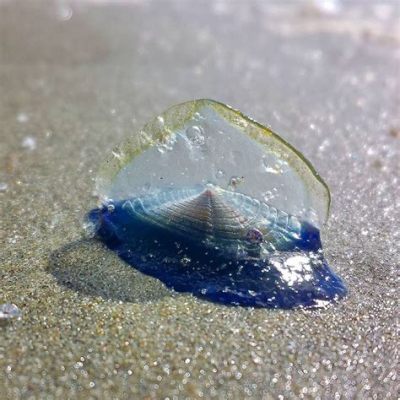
{"points": [[298, 278]]}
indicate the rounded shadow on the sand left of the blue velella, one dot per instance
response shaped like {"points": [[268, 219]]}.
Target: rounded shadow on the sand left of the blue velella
{"points": [[88, 267]]}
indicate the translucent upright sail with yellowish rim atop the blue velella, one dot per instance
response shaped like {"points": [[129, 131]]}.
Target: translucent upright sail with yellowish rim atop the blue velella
{"points": [[204, 141]]}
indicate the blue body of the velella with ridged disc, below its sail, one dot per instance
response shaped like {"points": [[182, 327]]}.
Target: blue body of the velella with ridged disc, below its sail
{"points": [[221, 246]]}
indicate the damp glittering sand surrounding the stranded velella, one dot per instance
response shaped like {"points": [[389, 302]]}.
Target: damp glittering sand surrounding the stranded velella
{"points": [[78, 77]]}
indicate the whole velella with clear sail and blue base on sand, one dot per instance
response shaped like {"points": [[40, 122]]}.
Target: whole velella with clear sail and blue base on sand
{"points": [[214, 204]]}
